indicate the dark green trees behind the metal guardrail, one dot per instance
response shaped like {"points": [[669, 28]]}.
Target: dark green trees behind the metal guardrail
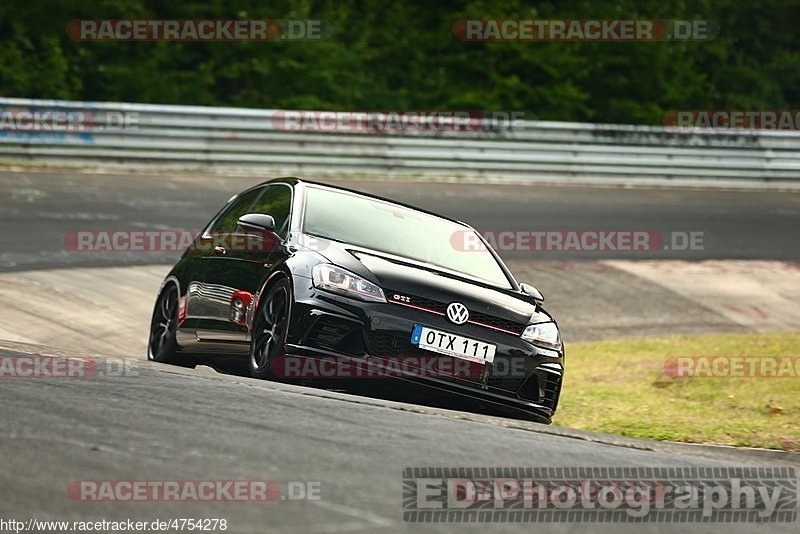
{"points": [[402, 55]]}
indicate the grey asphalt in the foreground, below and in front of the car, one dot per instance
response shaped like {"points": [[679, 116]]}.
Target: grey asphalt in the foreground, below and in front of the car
{"points": [[160, 423]]}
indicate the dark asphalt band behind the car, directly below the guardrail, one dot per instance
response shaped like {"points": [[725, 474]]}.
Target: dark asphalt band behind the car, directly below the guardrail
{"points": [[41, 207]]}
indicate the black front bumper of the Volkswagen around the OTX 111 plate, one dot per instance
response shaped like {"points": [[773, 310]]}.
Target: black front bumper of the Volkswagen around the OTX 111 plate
{"points": [[375, 336]]}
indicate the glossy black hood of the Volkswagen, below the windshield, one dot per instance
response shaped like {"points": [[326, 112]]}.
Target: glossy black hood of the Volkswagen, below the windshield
{"points": [[408, 281]]}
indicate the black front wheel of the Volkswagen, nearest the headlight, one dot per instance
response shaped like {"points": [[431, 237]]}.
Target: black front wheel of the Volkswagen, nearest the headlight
{"points": [[269, 329]]}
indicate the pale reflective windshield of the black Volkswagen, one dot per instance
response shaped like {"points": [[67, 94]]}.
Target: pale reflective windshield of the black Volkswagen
{"points": [[387, 227]]}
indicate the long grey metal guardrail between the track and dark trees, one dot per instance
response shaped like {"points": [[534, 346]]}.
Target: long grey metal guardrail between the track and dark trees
{"points": [[233, 139]]}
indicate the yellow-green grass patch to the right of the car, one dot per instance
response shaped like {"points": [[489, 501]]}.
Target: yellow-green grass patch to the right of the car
{"points": [[630, 388]]}
